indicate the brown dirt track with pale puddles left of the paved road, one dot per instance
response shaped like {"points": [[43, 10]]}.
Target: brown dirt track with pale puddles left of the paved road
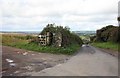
{"points": [[27, 61]]}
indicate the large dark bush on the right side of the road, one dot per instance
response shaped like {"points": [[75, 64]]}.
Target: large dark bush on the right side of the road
{"points": [[108, 33]]}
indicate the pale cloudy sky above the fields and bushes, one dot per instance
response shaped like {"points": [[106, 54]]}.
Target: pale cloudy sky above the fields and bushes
{"points": [[33, 15]]}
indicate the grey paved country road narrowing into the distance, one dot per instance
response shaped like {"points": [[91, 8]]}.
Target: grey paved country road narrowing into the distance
{"points": [[88, 62]]}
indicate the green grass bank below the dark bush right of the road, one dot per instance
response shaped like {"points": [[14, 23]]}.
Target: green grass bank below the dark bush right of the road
{"points": [[107, 45]]}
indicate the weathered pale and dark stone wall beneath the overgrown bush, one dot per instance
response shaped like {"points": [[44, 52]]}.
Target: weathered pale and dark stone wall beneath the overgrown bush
{"points": [[51, 39]]}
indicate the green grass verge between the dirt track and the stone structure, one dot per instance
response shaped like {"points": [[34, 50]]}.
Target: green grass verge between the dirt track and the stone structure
{"points": [[48, 49]]}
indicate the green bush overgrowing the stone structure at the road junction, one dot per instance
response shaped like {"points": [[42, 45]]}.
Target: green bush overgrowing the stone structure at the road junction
{"points": [[68, 38]]}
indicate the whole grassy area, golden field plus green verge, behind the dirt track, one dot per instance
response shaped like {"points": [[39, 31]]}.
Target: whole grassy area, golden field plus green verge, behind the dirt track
{"points": [[22, 42]]}
